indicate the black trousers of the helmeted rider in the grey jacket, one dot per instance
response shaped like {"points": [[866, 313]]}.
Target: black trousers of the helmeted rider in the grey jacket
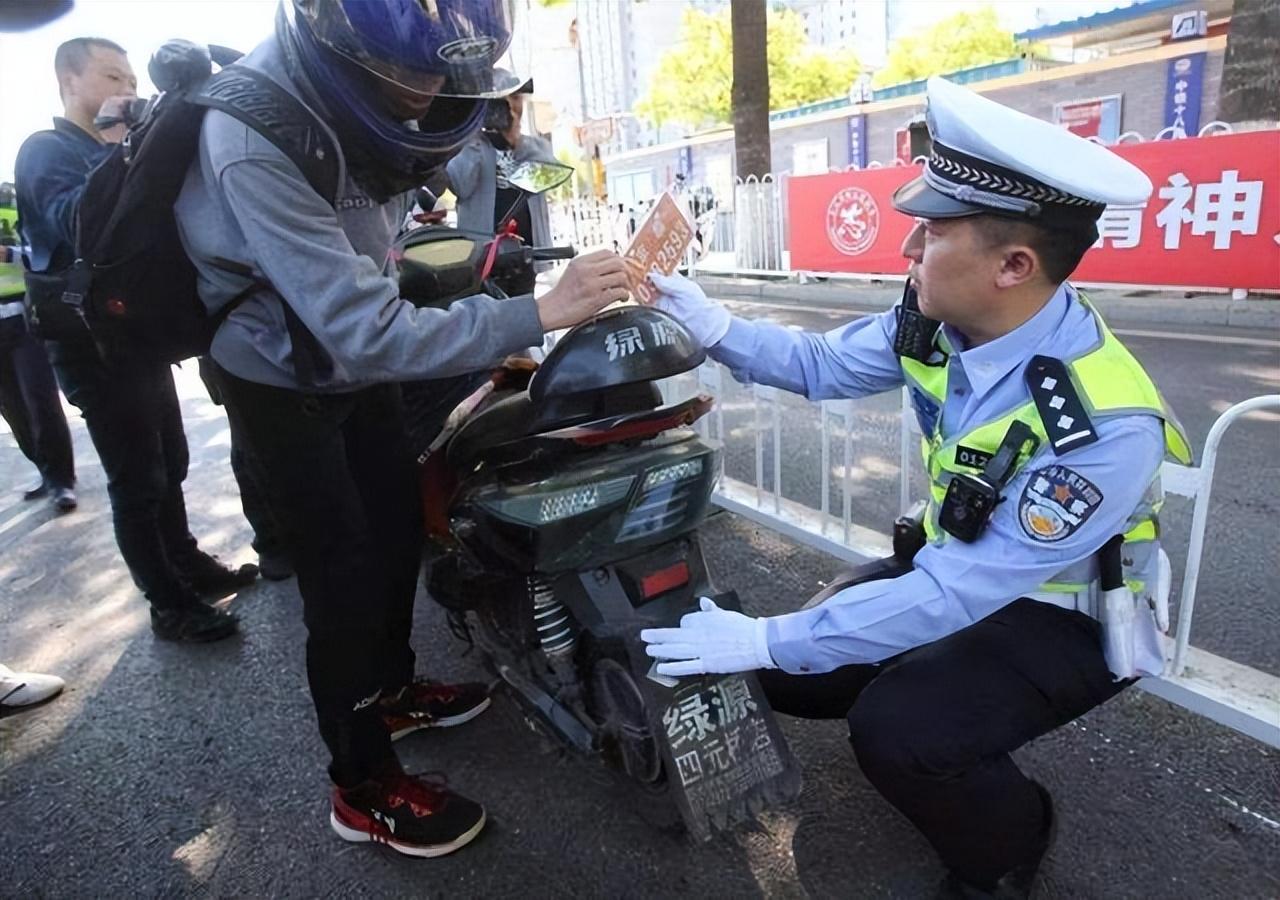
{"points": [[345, 491]]}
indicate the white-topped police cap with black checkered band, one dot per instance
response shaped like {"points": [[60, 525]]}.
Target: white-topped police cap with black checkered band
{"points": [[988, 158]]}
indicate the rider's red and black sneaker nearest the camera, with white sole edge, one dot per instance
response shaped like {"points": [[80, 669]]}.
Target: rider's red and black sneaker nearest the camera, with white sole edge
{"points": [[408, 814]]}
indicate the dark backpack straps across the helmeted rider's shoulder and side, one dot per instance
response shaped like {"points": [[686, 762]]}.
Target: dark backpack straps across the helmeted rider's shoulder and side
{"points": [[262, 104]]}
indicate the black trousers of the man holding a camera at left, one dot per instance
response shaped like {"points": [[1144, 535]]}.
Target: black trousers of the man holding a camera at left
{"points": [[135, 421]]}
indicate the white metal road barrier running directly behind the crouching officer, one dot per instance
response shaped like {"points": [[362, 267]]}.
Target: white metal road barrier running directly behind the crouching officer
{"points": [[1229, 693]]}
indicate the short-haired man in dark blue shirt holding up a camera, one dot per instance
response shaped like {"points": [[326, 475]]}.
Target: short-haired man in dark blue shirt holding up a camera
{"points": [[130, 405]]}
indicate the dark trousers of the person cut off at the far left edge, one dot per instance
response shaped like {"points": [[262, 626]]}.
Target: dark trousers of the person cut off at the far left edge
{"points": [[30, 404]]}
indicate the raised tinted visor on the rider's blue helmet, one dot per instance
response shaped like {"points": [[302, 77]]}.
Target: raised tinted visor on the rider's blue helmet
{"points": [[431, 48]]}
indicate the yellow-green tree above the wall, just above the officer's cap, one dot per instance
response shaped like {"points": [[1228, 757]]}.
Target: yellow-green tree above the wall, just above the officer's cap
{"points": [[959, 42]]}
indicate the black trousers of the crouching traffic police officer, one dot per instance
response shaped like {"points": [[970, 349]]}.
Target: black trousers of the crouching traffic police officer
{"points": [[934, 728]]}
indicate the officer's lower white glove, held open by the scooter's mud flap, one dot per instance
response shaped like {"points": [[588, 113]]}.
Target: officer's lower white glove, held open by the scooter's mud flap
{"points": [[712, 641]]}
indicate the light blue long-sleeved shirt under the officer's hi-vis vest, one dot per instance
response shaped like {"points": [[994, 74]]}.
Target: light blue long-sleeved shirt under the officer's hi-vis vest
{"points": [[954, 584]]}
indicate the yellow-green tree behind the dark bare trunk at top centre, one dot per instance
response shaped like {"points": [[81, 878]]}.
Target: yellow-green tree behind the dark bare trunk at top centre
{"points": [[693, 81]]}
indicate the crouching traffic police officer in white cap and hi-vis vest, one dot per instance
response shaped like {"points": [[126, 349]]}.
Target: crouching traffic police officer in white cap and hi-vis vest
{"points": [[1032, 597]]}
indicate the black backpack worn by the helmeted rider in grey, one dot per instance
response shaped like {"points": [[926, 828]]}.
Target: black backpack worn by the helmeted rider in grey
{"points": [[134, 285]]}
